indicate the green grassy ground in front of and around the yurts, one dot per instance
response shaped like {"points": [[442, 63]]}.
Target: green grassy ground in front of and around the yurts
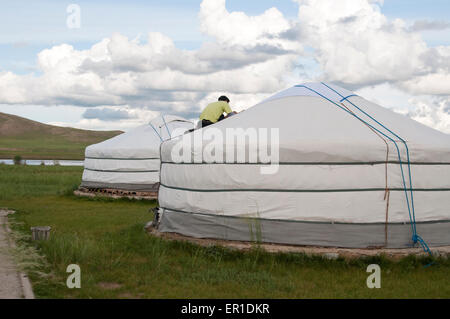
{"points": [[119, 260]]}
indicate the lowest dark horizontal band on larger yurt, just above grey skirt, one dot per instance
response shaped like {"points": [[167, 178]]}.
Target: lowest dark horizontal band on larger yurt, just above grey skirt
{"points": [[302, 221]]}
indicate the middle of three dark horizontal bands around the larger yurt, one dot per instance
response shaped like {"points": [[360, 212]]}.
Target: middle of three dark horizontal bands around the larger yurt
{"points": [[349, 190]]}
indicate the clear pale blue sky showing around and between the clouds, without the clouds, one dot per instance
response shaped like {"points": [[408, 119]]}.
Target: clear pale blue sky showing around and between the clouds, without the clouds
{"points": [[29, 27]]}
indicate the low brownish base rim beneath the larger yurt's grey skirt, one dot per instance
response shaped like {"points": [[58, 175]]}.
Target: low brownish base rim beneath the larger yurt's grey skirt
{"points": [[327, 252]]}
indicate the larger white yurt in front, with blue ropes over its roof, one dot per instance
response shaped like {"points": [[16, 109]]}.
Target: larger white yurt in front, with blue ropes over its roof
{"points": [[350, 174]]}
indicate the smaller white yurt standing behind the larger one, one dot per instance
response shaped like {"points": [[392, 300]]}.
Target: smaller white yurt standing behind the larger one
{"points": [[130, 161]]}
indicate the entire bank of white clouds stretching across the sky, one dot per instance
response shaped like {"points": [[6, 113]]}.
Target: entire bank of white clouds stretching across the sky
{"points": [[245, 57]]}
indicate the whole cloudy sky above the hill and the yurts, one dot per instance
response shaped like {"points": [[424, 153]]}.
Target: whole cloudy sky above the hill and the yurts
{"points": [[115, 65]]}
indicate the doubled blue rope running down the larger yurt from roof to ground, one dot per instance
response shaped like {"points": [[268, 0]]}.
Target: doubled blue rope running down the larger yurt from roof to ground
{"points": [[415, 237]]}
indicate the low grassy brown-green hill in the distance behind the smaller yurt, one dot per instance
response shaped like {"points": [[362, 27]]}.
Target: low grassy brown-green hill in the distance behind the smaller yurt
{"points": [[34, 140]]}
